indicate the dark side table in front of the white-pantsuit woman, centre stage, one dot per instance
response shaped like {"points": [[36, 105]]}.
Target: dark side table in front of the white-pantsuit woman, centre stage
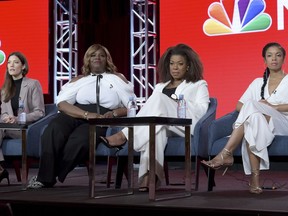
{"points": [[130, 123]]}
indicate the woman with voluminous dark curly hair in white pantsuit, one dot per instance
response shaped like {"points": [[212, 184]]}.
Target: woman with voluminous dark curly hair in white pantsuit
{"points": [[180, 72]]}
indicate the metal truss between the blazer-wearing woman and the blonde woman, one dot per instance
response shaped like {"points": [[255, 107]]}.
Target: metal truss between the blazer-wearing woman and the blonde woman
{"points": [[65, 42]]}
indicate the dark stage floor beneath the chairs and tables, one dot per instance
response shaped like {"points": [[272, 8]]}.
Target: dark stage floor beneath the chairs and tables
{"points": [[230, 196]]}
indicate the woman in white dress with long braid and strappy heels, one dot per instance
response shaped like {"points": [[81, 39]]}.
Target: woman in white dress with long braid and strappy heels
{"points": [[263, 113]]}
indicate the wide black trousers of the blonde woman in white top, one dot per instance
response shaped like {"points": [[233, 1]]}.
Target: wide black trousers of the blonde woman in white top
{"points": [[64, 145]]}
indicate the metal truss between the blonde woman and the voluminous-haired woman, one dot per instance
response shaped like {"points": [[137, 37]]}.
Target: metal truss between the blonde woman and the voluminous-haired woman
{"points": [[143, 47]]}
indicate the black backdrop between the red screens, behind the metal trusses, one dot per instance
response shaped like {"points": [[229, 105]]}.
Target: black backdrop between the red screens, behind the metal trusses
{"points": [[102, 21]]}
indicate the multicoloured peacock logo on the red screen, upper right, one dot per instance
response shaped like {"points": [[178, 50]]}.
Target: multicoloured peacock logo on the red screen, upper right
{"points": [[236, 17]]}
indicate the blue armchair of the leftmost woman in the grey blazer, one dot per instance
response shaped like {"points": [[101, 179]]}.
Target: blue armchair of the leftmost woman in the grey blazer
{"points": [[12, 148]]}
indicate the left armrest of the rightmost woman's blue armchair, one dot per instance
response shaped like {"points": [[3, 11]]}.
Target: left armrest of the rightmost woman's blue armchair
{"points": [[221, 127]]}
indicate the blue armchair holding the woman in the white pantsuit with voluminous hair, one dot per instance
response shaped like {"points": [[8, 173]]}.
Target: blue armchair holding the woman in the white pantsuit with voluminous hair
{"points": [[175, 147]]}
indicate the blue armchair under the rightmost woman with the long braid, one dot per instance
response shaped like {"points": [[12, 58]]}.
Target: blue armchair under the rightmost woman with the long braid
{"points": [[219, 132]]}
